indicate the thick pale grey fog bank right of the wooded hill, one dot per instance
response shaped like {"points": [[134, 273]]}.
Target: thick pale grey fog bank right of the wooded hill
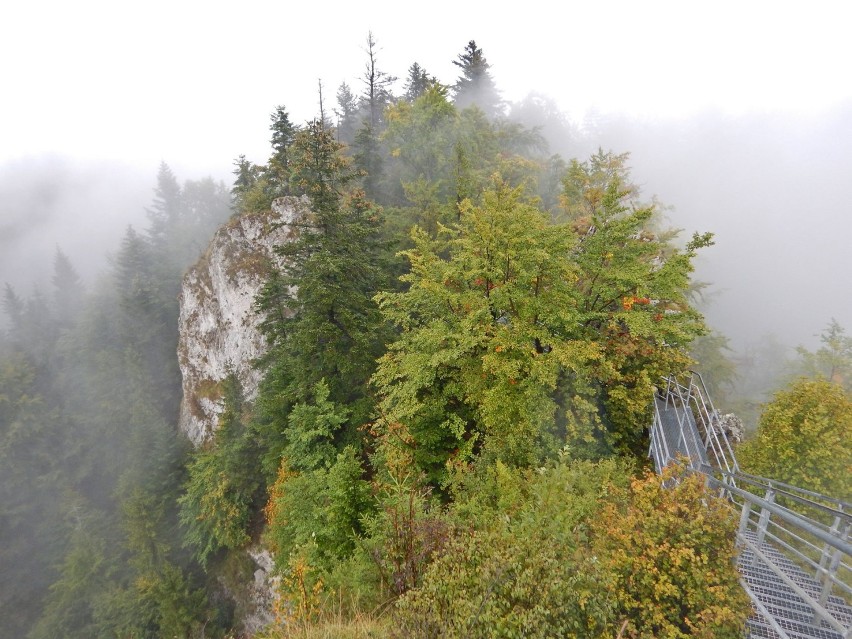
{"points": [[775, 191]]}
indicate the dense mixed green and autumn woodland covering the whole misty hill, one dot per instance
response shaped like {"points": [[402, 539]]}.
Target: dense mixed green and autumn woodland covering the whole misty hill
{"points": [[450, 436]]}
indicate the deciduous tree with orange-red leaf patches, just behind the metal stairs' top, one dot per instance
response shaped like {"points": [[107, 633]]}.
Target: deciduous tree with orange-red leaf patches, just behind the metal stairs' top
{"points": [[633, 285]]}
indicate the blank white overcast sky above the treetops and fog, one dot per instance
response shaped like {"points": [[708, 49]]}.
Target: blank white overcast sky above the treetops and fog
{"points": [[193, 82]]}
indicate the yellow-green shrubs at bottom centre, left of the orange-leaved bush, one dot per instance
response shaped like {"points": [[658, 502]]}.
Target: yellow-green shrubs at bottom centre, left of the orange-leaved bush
{"points": [[521, 569]]}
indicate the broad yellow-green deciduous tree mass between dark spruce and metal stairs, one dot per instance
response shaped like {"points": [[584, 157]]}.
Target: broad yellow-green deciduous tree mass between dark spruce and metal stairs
{"points": [[516, 333]]}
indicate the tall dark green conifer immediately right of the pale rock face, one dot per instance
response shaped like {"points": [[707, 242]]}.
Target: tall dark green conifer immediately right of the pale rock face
{"points": [[319, 311]]}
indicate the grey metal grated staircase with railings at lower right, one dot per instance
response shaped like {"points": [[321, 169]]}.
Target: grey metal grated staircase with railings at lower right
{"points": [[795, 557]]}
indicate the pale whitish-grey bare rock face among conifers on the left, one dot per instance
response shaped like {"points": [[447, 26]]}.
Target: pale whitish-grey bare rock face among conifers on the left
{"points": [[219, 330]]}
